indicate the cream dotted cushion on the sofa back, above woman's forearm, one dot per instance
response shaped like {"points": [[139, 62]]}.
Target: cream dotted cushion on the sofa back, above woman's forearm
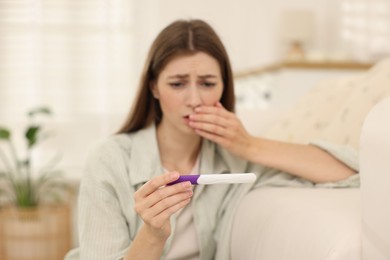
{"points": [[335, 109]]}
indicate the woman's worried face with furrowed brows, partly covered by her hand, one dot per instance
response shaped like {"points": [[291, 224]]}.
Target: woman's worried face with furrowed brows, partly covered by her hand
{"points": [[185, 83]]}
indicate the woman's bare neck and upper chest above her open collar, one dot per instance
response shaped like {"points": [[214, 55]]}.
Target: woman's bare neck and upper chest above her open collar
{"points": [[178, 152]]}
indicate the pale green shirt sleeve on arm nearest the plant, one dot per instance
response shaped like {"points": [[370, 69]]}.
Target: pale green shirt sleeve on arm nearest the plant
{"points": [[103, 229]]}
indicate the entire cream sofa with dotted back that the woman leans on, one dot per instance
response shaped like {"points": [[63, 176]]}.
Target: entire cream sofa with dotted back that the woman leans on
{"points": [[315, 224]]}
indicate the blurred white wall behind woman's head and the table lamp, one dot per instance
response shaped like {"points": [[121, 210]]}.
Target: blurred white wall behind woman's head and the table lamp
{"points": [[249, 28]]}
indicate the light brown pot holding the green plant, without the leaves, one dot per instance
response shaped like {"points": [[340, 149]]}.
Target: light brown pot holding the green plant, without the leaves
{"points": [[42, 233]]}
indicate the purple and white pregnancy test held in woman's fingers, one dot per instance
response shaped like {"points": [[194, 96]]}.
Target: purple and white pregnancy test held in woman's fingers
{"points": [[217, 178]]}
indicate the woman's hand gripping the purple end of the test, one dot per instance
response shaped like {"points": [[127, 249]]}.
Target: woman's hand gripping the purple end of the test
{"points": [[156, 202]]}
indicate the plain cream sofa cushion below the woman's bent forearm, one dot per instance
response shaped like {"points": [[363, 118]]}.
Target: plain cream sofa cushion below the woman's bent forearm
{"points": [[298, 223]]}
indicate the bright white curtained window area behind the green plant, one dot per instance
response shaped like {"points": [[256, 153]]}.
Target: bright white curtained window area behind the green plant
{"points": [[74, 56]]}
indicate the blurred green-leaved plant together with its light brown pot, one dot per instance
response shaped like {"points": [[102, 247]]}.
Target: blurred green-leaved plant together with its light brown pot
{"points": [[35, 216]]}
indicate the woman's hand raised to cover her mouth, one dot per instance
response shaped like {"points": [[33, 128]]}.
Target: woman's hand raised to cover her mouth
{"points": [[222, 127]]}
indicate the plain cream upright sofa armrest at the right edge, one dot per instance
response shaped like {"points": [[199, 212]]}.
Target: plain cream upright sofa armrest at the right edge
{"points": [[375, 182]]}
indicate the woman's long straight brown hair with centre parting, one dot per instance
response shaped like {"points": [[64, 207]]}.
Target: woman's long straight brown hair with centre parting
{"points": [[179, 38]]}
